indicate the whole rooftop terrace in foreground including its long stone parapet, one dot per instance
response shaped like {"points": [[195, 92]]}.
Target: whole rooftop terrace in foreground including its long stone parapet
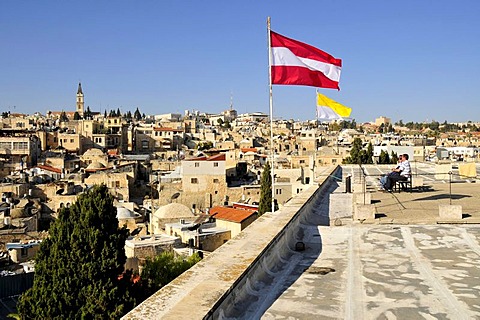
{"points": [[405, 263]]}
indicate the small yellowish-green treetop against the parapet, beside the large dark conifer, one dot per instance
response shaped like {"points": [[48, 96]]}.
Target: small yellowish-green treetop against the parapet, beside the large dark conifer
{"points": [[162, 269]]}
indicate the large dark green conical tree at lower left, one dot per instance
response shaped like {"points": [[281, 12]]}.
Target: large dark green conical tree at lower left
{"points": [[78, 269]]}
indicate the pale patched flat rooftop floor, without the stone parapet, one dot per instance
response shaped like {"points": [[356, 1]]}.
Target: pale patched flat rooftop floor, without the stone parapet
{"points": [[405, 264]]}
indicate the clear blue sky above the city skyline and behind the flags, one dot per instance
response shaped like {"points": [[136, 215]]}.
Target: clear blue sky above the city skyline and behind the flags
{"points": [[414, 60]]}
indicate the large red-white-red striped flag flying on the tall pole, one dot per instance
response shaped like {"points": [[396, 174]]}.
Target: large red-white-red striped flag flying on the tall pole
{"points": [[297, 63]]}
